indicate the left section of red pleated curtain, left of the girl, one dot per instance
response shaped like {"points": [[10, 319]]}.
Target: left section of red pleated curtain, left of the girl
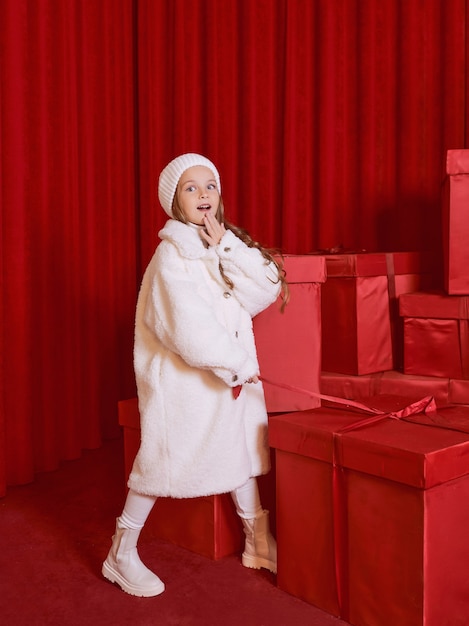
{"points": [[68, 227]]}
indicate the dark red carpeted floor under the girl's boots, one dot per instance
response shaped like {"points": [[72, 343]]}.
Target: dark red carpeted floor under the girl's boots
{"points": [[55, 533]]}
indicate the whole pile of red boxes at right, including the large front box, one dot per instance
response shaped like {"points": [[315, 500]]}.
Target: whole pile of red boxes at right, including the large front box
{"points": [[371, 521]]}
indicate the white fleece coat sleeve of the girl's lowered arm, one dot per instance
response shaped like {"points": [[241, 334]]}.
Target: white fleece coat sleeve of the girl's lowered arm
{"points": [[173, 308]]}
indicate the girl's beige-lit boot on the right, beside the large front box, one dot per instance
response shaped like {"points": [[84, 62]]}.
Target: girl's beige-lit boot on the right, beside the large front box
{"points": [[260, 549]]}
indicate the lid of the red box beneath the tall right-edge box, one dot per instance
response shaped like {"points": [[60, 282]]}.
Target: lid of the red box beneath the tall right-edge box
{"points": [[437, 305]]}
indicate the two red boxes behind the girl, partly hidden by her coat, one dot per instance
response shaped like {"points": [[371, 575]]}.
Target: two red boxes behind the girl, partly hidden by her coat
{"points": [[289, 351]]}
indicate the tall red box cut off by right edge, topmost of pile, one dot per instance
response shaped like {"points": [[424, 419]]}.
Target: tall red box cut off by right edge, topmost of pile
{"points": [[456, 223]]}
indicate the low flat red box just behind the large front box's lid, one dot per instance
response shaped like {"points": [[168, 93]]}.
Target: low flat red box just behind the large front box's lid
{"points": [[391, 382]]}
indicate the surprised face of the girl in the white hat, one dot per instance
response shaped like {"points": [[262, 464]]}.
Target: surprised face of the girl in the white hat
{"points": [[197, 194]]}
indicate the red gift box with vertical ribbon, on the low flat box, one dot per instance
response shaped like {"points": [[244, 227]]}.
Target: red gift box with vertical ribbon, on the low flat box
{"points": [[361, 331]]}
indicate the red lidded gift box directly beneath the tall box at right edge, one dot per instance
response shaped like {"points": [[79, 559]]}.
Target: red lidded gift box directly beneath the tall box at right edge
{"points": [[436, 334]]}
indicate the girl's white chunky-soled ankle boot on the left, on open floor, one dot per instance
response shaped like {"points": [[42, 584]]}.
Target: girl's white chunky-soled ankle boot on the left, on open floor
{"points": [[124, 567]]}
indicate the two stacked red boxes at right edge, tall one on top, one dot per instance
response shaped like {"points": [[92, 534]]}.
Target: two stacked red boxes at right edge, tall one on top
{"points": [[436, 325]]}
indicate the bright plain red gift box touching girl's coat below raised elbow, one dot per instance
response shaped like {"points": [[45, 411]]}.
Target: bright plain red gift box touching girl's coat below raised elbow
{"points": [[289, 343]]}
